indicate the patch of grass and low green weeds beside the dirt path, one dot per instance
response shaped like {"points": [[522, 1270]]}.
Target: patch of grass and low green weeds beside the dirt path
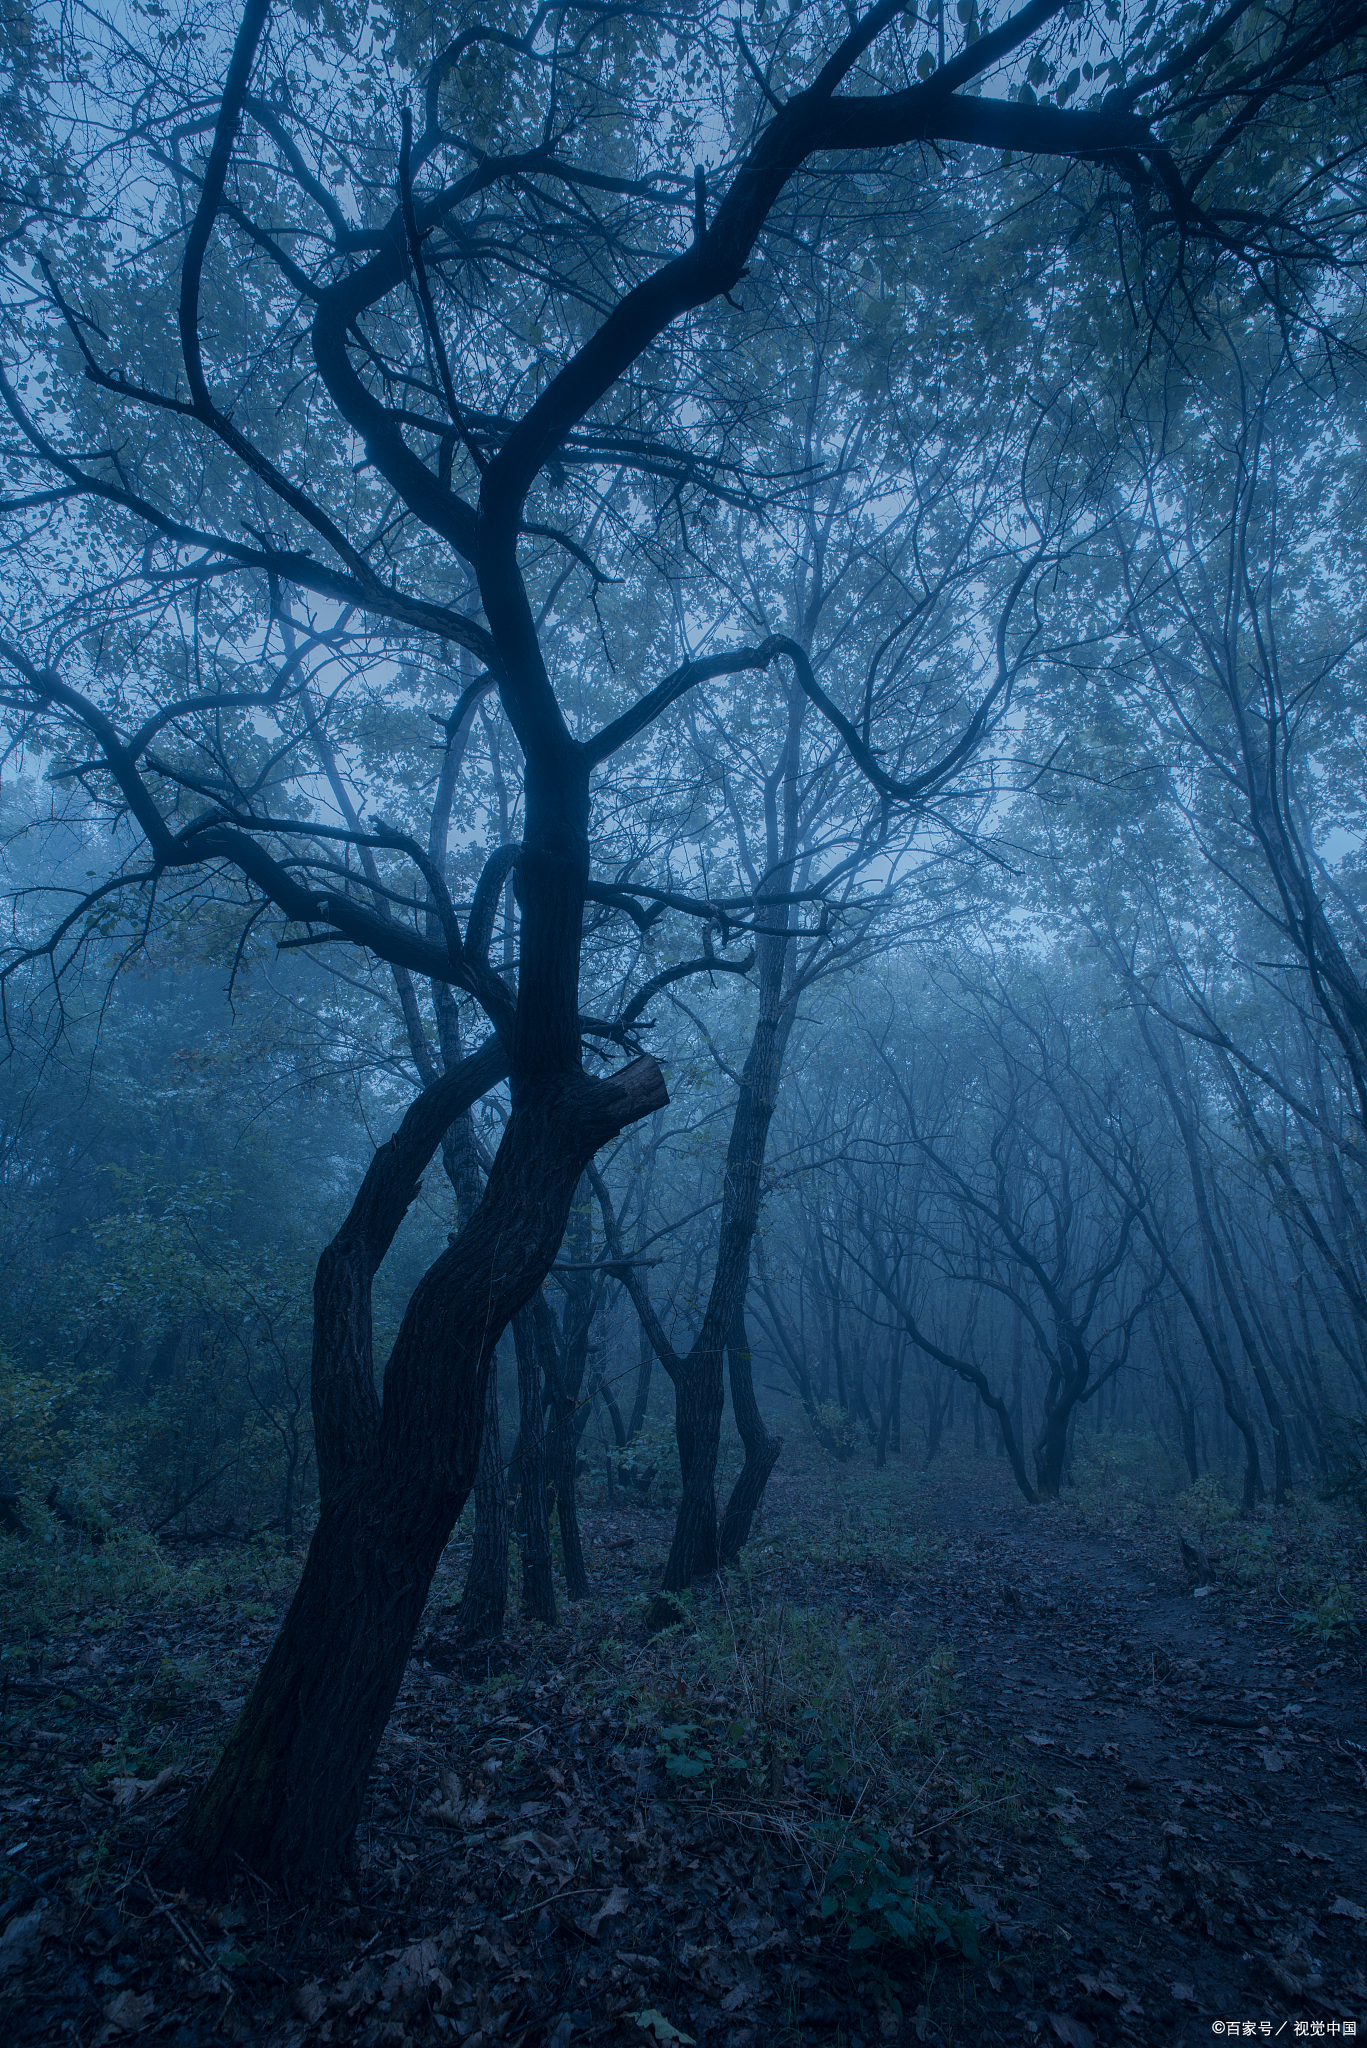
{"points": [[815, 1734]]}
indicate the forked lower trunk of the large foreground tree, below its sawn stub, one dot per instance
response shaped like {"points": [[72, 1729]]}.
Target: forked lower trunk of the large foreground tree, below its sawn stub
{"points": [[288, 1791]]}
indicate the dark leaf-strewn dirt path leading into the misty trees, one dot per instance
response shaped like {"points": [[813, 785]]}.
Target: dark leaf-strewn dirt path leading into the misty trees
{"points": [[1204, 1785]]}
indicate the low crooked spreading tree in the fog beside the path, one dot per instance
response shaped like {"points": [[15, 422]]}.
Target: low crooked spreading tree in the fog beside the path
{"points": [[977, 1164]]}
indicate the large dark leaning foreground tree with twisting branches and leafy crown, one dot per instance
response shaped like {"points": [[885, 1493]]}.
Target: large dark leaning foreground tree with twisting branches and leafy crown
{"points": [[300, 384]]}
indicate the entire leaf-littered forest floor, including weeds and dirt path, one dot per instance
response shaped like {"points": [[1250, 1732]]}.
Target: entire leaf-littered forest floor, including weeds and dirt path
{"points": [[934, 1768]]}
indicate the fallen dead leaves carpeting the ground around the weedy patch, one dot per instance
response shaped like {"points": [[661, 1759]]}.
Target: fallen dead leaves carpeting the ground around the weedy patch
{"points": [[532, 1871]]}
